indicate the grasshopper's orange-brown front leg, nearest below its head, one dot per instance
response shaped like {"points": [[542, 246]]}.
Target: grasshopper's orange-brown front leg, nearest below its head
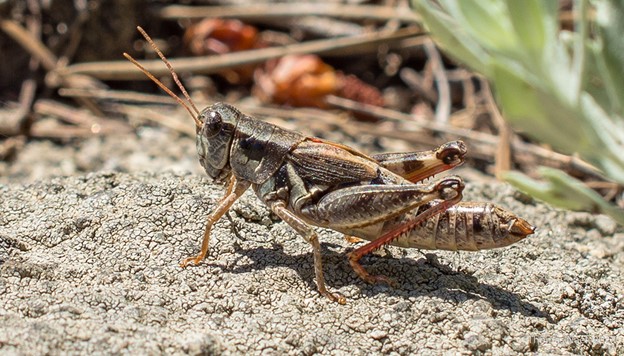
{"points": [[236, 188]]}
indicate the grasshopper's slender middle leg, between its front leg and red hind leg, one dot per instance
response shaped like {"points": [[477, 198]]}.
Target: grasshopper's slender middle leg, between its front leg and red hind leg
{"points": [[308, 233]]}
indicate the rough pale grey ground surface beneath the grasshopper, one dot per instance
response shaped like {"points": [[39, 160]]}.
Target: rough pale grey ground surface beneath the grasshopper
{"points": [[89, 264]]}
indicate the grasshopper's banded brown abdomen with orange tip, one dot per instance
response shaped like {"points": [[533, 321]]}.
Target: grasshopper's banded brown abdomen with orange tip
{"points": [[466, 226]]}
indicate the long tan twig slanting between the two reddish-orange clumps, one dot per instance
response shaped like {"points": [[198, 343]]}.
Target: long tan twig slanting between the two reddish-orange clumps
{"points": [[122, 70]]}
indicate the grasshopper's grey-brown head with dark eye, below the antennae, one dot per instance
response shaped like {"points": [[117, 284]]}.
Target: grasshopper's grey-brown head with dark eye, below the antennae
{"points": [[214, 138]]}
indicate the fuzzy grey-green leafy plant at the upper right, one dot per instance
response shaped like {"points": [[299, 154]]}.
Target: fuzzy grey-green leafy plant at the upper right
{"points": [[563, 88]]}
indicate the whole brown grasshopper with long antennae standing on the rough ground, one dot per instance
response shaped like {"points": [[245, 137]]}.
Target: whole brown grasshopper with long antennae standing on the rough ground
{"points": [[308, 182]]}
